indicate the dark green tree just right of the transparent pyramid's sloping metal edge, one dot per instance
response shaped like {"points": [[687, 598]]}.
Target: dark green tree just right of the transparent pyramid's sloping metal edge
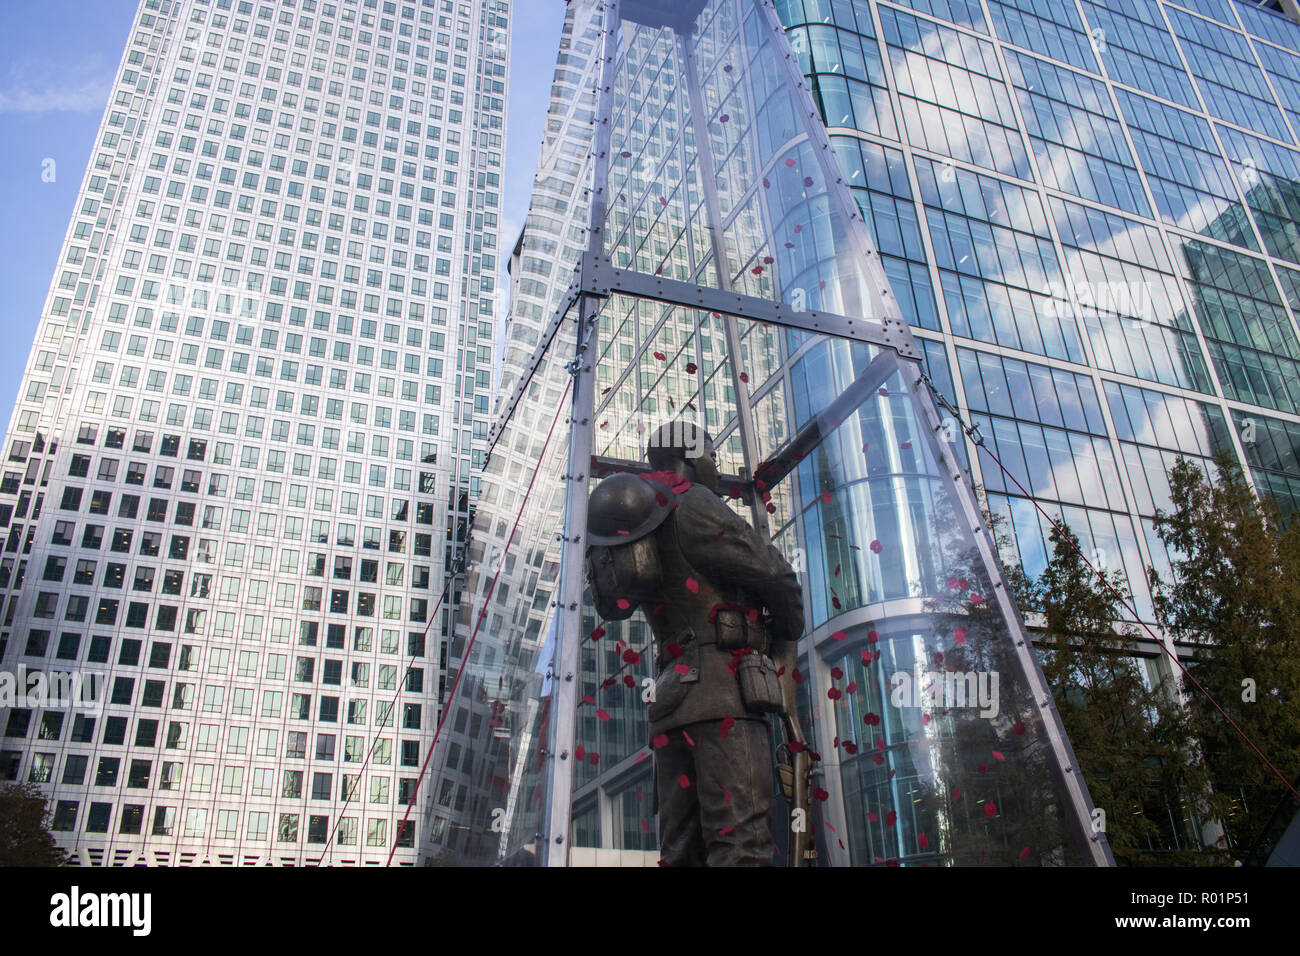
{"points": [[1132, 738]]}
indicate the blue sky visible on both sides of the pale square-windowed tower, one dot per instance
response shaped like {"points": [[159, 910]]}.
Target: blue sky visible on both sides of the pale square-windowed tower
{"points": [[58, 60]]}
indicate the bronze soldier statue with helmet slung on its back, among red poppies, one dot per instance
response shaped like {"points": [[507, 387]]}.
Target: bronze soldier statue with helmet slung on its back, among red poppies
{"points": [[718, 599]]}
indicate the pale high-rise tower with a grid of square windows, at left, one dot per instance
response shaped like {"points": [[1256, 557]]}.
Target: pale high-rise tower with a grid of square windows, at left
{"points": [[242, 458]]}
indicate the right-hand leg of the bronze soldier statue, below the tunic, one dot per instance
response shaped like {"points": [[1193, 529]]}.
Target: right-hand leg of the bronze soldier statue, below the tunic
{"points": [[735, 793]]}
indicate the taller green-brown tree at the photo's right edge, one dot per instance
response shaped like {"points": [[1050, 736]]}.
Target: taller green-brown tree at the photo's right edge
{"points": [[1234, 591]]}
